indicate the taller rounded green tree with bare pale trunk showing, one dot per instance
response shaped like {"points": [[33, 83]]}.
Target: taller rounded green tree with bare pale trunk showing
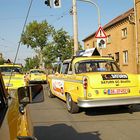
{"points": [[36, 36]]}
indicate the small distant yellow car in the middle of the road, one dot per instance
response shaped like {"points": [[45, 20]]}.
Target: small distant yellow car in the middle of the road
{"points": [[36, 76]]}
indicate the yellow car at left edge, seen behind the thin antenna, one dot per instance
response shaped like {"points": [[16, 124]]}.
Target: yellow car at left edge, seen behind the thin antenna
{"points": [[13, 76]]}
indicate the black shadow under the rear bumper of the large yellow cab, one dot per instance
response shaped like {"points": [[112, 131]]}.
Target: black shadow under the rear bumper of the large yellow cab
{"points": [[111, 110]]}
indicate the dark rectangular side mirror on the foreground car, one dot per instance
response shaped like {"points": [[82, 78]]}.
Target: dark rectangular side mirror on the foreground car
{"points": [[30, 94]]}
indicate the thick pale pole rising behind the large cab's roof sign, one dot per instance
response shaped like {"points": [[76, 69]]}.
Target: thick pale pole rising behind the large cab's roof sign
{"points": [[75, 26]]}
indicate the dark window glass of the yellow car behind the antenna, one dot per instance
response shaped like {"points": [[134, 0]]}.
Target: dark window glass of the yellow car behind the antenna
{"points": [[9, 69]]}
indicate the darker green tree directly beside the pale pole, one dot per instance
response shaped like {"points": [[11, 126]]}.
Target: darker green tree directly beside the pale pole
{"points": [[61, 47]]}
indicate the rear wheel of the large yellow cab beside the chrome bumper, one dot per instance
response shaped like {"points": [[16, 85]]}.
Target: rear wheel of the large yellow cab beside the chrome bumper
{"points": [[71, 105]]}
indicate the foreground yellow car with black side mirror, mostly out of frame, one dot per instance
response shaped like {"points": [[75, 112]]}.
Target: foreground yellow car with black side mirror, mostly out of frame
{"points": [[14, 118]]}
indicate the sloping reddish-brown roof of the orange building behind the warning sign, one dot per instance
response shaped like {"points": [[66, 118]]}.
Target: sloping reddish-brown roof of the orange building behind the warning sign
{"points": [[114, 21]]}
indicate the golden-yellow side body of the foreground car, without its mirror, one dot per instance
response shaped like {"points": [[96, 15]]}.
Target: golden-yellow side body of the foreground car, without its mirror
{"points": [[12, 122]]}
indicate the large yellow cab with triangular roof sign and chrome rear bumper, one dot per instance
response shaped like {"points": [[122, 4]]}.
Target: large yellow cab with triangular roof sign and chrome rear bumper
{"points": [[90, 80]]}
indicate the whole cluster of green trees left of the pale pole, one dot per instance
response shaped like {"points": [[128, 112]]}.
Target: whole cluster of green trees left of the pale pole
{"points": [[47, 43]]}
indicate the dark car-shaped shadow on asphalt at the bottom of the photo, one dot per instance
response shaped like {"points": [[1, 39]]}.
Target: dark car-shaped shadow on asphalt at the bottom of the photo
{"points": [[62, 132]]}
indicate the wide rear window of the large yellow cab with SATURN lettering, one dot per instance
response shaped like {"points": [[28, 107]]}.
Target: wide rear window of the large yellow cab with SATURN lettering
{"points": [[96, 66]]}
